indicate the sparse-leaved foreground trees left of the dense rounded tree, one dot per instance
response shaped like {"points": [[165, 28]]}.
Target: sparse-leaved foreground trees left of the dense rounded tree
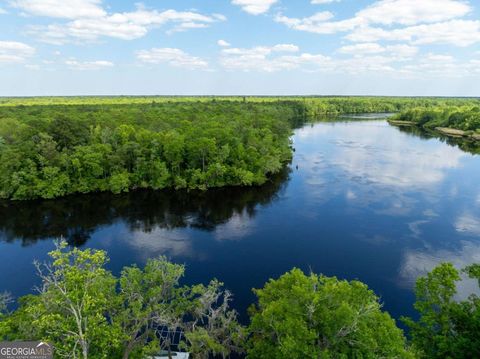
{"points": [[86, 312]]}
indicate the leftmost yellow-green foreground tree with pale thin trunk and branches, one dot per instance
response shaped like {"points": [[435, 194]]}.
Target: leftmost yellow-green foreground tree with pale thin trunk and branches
{"points": [[69, 311]]}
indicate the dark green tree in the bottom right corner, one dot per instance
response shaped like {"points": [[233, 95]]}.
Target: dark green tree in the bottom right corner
{"points": [[447, 328]]}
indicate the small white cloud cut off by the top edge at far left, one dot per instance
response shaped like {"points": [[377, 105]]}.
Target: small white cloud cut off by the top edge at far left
{"points": [[67, 9]]}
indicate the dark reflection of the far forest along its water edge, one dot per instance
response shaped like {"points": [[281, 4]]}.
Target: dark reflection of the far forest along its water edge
{"points": [[77, 217]]}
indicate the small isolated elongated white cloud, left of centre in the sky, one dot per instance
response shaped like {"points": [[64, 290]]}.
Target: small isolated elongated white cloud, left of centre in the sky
{"points": [[171, 56]]}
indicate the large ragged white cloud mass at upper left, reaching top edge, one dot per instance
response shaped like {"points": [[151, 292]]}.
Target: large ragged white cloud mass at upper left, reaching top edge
{"points": [[89, 21]]}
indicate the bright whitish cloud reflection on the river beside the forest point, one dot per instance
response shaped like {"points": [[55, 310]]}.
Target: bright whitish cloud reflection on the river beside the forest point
{"points": [[369, 151]]}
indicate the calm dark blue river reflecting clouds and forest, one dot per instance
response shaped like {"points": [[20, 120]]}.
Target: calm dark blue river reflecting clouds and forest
{"points": [[367, 202]]}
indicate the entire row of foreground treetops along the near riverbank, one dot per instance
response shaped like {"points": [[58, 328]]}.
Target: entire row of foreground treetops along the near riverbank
{"points": [[87, 312]]}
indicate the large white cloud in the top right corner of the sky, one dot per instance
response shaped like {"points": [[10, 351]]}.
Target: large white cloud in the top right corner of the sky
{"points": [[424, 22]]}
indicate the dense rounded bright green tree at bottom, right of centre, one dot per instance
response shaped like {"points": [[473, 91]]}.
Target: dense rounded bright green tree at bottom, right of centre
{"points": [[299, 316]]}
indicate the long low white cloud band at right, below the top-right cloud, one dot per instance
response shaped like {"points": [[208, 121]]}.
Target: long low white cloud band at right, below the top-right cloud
{"points": [[398, 60]]}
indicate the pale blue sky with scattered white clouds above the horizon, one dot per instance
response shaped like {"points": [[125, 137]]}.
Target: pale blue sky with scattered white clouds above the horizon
{"points": [[232, 47]]}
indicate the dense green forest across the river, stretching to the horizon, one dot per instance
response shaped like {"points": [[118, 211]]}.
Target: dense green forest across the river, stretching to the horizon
{"points": [[51, 147]]}
